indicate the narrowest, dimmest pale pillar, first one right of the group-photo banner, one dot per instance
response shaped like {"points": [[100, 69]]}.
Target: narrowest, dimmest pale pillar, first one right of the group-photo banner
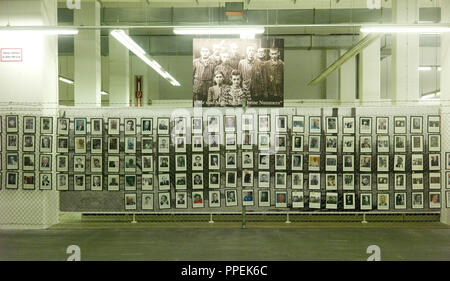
{"points": [[347, 80]]}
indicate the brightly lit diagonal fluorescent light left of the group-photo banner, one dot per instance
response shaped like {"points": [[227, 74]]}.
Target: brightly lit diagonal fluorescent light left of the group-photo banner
{"points": [[126, 40]]}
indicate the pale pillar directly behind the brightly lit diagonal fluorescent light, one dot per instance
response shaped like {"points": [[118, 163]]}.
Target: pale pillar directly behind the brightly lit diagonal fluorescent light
{"points": [[119, 73]]}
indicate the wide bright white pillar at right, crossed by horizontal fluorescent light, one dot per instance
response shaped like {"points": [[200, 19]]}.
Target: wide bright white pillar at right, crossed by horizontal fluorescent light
{"points": [[405, 53]]}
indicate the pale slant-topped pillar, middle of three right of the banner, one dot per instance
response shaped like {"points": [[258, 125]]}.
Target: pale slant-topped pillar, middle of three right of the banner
{"points": [[369, 73]]}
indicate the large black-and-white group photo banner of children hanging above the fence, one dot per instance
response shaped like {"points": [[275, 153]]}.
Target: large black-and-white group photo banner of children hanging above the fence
{"points": [[238, 72]]}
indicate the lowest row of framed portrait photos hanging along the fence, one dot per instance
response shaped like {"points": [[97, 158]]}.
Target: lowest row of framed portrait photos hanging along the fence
{"points": [[298, 200]]}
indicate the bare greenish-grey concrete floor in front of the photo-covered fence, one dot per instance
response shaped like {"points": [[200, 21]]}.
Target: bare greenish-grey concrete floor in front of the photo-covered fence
{"points": [[227, 241]]}
